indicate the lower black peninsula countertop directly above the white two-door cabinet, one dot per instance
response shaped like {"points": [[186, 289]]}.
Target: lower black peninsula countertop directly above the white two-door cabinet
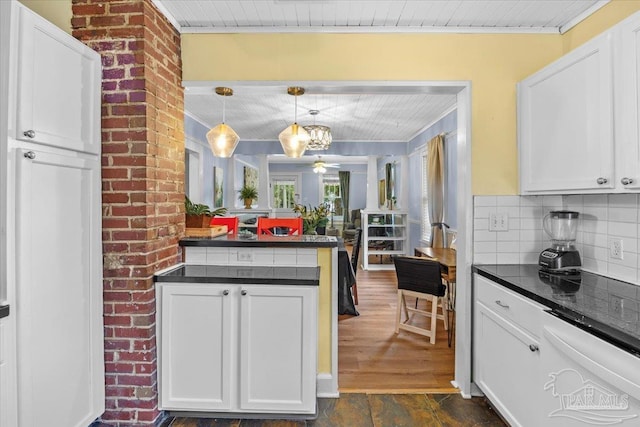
{"points": [[309, 276]]}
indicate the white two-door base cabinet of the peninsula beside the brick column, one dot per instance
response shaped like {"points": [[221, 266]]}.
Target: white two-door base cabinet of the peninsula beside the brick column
{"points": [[237, 348]]}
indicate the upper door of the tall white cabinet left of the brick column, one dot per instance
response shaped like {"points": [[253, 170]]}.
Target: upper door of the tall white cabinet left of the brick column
{"points": [[58, 87]]}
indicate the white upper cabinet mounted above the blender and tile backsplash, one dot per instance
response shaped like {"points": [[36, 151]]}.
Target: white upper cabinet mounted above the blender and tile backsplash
{"points": [[578, 124]]}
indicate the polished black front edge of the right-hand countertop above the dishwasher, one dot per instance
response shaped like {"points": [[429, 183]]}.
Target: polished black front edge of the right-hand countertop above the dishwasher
{"points": [[583, 321]]}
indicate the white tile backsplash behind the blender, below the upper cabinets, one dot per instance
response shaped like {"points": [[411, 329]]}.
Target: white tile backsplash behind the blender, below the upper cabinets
{"points": [[602, 218]]}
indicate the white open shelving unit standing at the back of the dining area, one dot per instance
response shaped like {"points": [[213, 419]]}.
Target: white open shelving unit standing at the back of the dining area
{"points": [[384, 234]]}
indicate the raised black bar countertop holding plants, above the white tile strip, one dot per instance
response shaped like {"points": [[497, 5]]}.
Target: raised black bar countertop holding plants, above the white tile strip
{"points": [[263, 241]]}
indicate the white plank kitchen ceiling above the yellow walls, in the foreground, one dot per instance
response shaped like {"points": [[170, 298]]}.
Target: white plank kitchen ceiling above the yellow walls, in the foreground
{"points": [[377, 15]]}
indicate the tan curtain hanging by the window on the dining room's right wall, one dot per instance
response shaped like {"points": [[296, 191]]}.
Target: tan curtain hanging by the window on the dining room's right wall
{"points": [[435, 189]]}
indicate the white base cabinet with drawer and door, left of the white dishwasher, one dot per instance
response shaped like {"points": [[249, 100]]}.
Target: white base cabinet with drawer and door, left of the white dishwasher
{"points": [[506, 351]]}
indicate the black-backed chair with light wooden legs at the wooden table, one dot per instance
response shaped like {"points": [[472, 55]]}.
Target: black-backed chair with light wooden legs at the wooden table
{"points": [[420, 278]]}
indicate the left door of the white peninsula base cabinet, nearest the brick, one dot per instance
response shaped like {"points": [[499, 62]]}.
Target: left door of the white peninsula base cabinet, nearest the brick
{"points": [[196, 346]]}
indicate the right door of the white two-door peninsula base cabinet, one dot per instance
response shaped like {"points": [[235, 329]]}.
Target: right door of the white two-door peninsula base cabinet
{"points": [[278, 335]]}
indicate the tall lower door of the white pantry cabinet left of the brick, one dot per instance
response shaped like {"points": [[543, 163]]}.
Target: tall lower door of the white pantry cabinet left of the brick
{"points": [[59, 289]]}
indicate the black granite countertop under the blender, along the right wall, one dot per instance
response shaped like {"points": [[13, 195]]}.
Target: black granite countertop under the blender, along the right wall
{"points": [[605, 307]]}
